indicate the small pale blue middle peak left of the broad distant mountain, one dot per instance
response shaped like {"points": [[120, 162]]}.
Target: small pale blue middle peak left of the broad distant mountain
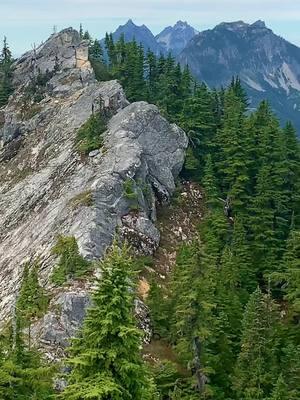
{"points": [[175, 38]]}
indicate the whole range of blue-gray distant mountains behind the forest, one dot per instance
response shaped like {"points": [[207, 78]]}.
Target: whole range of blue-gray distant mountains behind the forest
{"points": [[266, 63]]}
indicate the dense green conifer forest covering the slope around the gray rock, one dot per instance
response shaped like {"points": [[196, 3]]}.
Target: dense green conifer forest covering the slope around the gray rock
{"points": [[231, 307]]}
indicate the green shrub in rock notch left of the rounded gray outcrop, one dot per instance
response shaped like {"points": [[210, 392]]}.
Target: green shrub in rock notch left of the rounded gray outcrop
{"points": [[89, 136]]}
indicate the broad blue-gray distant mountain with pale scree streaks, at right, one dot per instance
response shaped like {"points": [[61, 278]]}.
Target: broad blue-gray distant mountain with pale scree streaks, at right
{"points": [[268, 65]]}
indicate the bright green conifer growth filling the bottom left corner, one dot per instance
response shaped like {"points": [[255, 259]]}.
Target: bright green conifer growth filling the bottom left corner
{"points": [[23, 372]]}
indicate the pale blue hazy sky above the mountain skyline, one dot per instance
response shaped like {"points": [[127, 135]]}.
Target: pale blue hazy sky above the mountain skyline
{"points": [[28, 22]]}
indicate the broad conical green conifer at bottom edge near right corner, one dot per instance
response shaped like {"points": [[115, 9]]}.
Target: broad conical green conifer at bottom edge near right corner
{"points": [[257, 366]]}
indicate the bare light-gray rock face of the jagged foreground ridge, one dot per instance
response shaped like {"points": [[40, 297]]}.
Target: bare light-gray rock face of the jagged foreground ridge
{"points": [[42, 176]]}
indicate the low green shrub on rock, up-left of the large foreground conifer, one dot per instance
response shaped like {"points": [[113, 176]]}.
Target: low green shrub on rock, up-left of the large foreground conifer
{"points": [[71, 264]]}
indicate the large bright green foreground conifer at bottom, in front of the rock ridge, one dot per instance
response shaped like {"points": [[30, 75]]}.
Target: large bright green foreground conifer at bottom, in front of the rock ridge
{"points": [[105, 358]]}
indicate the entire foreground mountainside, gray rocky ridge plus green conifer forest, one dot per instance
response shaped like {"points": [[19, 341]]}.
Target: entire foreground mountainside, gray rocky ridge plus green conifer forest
{"points": [[222, 290]]}
